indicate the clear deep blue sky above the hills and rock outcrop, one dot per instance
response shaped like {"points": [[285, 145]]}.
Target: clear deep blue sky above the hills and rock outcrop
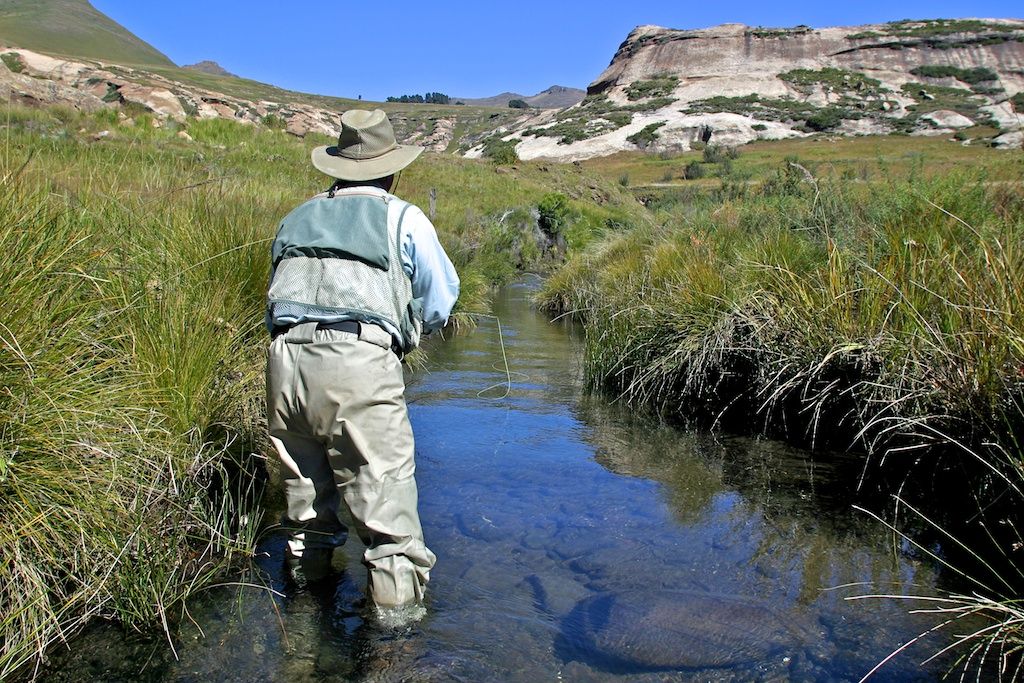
{"points": [[468, 50]]}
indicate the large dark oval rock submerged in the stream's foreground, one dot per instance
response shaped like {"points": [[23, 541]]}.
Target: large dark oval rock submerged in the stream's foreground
{"points": [[677, 630]]}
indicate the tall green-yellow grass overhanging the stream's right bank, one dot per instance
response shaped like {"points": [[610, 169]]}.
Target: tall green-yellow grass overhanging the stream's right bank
{"points": [[888, 318]]}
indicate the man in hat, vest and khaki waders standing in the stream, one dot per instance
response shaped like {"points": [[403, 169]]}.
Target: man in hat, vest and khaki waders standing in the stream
{"points": [[358, 275]]}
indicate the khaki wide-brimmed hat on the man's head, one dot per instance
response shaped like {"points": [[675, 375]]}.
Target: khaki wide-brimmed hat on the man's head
{"points": [[367, 149]]}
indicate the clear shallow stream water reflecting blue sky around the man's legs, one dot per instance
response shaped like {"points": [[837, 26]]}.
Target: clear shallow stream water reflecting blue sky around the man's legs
{"points": [[578, 542]]}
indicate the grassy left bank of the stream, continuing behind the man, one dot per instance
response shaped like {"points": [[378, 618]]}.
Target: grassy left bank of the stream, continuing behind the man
{"points": [[134, 264]]}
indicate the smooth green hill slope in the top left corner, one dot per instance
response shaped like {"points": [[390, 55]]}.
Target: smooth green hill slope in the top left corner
{"points": [[74, 28]]}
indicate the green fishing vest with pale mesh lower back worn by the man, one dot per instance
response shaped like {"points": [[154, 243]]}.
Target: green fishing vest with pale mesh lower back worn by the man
{"points": [[339, 260]]}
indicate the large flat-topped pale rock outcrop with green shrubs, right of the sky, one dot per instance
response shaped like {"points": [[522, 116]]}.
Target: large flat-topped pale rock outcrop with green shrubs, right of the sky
{"points": [[667, 91]]}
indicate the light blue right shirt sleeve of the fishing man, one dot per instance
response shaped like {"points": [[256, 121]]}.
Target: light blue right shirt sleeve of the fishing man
{"points": [[434, 278]]}
